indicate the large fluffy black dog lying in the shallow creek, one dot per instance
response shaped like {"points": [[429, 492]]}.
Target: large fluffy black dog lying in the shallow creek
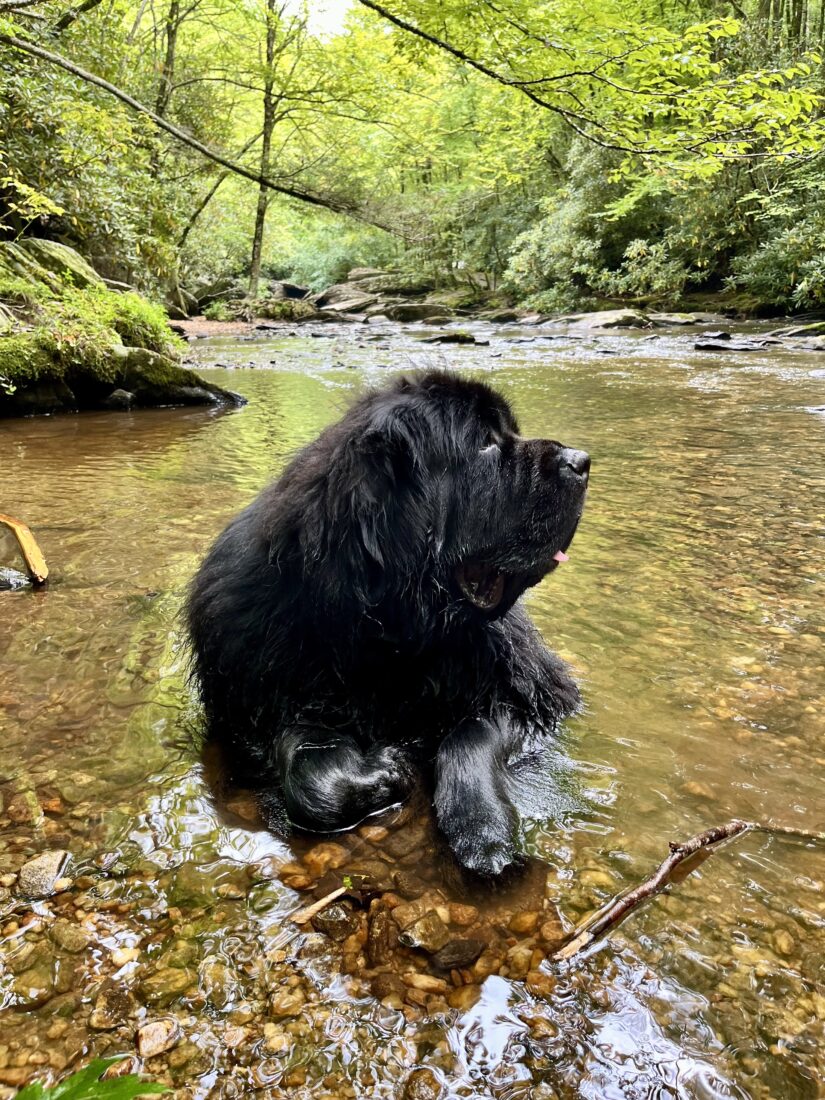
{"points": [[358, 623]]}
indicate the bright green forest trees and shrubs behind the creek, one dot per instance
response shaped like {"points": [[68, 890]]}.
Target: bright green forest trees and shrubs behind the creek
{"points": [[559, 153]]}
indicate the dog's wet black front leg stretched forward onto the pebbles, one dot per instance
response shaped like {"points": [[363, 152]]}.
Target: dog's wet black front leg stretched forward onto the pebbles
{"points": [[472, 807]]}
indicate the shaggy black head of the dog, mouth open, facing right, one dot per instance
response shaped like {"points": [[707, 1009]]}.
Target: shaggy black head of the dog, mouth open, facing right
{"points": [[433, 497]]}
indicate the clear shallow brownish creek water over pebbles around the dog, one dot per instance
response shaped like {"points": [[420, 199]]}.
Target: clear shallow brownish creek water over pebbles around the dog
{"points": [[694, 611]]}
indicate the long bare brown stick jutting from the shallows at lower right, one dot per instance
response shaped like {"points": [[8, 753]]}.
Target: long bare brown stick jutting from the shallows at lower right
{"points": [[684, 859]]}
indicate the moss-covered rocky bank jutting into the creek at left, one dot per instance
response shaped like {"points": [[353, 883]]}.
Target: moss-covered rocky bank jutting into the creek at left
{"points": [[69, 343]]}
